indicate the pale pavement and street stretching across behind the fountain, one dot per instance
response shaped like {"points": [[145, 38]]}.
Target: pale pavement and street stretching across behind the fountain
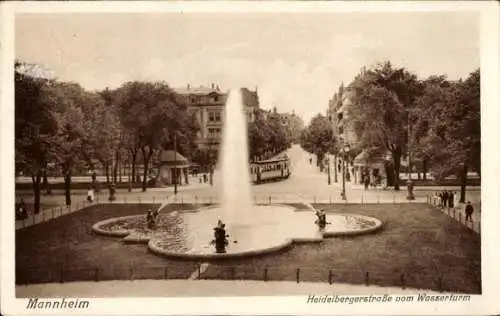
{"points": [[306, 185]]}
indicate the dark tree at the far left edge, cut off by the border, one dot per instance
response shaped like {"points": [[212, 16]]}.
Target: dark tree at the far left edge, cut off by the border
{"points": [[35, 128]]}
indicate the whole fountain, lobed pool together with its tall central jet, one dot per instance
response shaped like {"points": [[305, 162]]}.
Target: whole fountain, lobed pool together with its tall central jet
{"points": [[235, 227]]}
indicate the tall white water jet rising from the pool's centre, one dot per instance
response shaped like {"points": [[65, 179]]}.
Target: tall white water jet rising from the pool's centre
{"points": [[236, 187]]}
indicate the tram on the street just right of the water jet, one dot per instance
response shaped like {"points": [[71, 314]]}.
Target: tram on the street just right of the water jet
{"points": [[276, 169]]}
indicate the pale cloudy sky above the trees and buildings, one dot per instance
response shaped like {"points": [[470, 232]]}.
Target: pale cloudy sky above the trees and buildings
{"points": [[296, 60]]}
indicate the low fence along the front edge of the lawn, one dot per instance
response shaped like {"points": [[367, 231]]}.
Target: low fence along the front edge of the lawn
{"points": [[204, 271]]}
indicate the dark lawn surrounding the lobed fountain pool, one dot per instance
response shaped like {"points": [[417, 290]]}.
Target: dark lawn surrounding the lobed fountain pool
{"points": [[418, 247]]}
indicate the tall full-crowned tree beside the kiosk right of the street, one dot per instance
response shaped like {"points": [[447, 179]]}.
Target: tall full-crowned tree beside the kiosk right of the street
{"points": [[381, 101]]}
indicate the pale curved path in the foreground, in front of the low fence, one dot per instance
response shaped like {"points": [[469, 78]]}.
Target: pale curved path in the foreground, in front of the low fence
{"points": [[210, 288]]}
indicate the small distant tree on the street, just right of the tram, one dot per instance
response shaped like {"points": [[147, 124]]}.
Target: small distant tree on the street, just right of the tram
{"points": [[318, 137]]}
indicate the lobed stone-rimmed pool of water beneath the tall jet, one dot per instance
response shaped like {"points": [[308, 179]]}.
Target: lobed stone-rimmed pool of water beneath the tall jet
{"points": [[269, 228]]}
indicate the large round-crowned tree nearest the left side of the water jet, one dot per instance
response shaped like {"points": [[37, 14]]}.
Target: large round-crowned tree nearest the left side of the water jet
{"points": [[152, 113]]}
